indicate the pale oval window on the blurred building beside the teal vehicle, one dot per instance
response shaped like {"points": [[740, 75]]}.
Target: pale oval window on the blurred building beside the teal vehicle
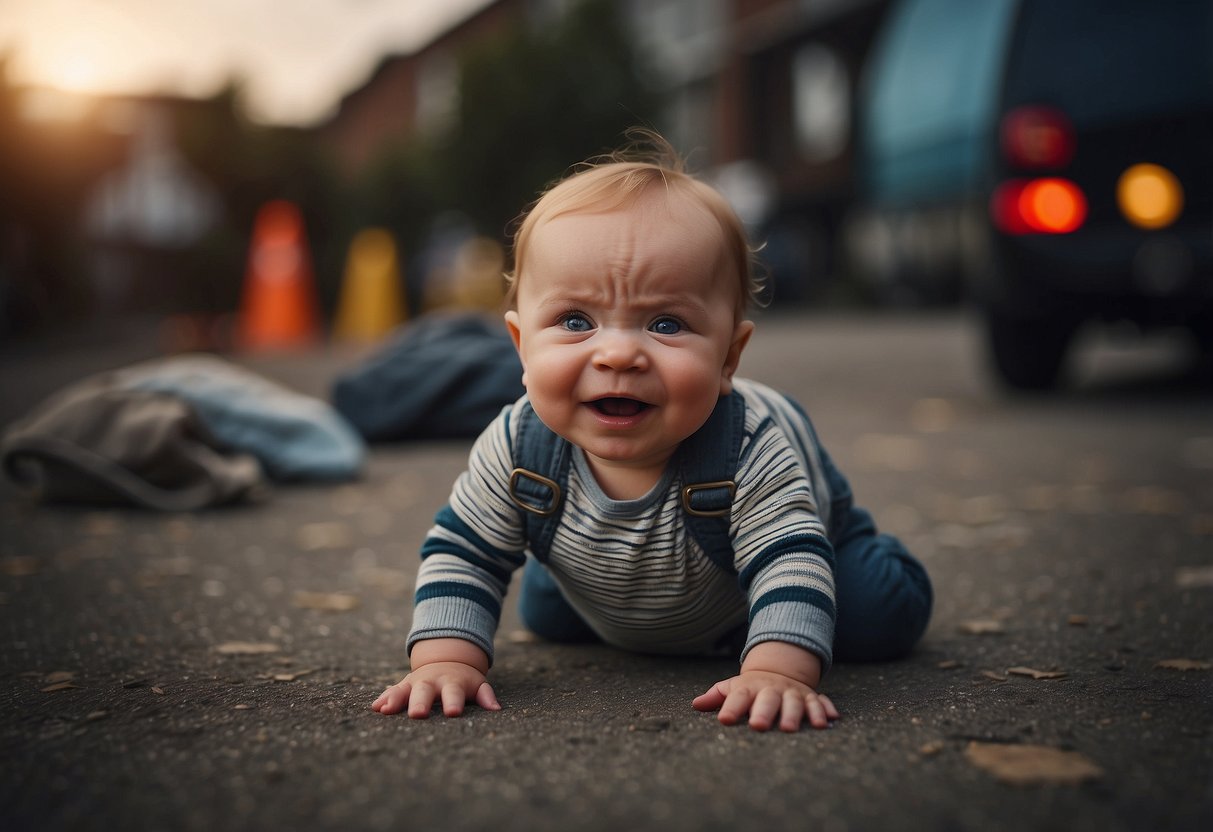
{"points": [[821, 104]]}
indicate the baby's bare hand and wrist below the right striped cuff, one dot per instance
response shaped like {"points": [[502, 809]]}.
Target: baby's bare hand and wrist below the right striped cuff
{"points": [[777, 680]]}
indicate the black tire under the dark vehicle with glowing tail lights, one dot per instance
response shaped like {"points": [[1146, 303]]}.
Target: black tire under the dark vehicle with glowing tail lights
{"points": [[1028, 352]]}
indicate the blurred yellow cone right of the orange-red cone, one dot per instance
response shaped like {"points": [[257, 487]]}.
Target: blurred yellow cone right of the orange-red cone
{"points": [[372, 304]]}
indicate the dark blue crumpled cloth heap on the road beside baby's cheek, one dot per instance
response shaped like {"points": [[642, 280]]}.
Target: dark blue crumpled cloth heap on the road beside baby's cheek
{"points": [[445, 377]]}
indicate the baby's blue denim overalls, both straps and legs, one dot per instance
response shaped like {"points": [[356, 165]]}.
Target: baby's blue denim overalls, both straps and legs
{"points": [[882, 594]]}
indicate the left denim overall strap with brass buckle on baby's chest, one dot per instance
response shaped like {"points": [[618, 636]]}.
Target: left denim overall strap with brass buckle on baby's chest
{"points": [[539, 480]]}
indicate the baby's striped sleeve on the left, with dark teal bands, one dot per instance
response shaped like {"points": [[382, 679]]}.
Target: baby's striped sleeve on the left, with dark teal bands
{"points": [[470, 554]]}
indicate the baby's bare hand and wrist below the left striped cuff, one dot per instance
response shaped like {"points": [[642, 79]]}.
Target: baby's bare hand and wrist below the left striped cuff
{"points": [[449, 670]]}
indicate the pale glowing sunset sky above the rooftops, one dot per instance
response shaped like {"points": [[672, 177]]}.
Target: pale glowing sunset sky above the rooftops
{"points": [[298, 56]]}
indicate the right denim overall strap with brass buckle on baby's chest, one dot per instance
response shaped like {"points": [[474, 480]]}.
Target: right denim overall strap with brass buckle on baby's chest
{"points": [[709, 461]]}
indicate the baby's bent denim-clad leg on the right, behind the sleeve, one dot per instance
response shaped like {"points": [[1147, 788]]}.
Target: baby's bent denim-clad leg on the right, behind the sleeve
{"points": [[882, 592]]}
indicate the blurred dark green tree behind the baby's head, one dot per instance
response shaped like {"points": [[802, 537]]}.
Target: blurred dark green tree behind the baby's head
{"points": [[532, 104]]}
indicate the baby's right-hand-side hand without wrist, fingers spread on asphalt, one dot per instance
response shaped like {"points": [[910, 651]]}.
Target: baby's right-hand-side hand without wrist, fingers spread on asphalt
{"points": [[765, 696]]}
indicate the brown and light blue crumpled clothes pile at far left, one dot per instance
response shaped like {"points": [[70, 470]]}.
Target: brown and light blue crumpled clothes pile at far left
{"points": [[176, 435]]}
